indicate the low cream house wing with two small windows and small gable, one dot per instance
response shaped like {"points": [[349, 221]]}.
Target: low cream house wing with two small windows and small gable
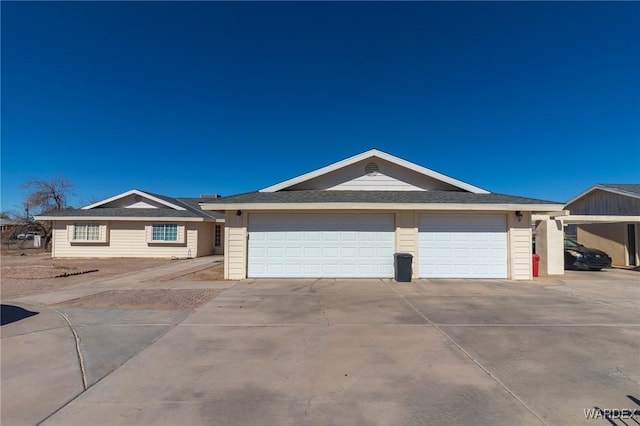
{"points": [[137, 224]]}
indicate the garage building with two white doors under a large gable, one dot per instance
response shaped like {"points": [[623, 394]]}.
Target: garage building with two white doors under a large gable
{"points": [[349, 218]]}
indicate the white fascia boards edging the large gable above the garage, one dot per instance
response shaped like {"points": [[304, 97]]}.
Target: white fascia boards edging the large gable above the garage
{"points": [[374, 153]]}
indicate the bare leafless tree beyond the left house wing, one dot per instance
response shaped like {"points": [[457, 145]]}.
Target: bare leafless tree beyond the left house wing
{"points": [[44, 197]]}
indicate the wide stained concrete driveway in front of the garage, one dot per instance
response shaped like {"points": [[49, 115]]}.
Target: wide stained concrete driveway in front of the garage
{"points": [[465, 352]]}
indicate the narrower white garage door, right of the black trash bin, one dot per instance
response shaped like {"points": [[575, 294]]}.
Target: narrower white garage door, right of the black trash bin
{"points": [[463, 246]]}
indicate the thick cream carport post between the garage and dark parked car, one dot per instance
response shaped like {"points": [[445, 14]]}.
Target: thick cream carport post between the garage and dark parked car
{"points": [[550, 246]]}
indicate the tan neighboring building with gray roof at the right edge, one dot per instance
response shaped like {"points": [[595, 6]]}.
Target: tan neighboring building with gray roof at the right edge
{"points": [[607, 217]]}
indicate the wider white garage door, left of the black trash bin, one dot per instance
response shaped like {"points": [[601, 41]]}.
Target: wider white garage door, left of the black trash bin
{"points": [[321, 245]]}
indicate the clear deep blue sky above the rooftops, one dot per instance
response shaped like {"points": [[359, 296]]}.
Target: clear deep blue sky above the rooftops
{"points": [[539, 99]]}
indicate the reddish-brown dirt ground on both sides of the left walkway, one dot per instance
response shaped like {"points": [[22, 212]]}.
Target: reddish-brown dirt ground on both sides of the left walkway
{"points": [[29, 271]]}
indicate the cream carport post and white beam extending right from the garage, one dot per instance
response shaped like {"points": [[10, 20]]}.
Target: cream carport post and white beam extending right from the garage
{"points": [[549, 230]]}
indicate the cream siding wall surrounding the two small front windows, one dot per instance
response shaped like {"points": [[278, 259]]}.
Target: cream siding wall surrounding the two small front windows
{"points": [[126, 239]]}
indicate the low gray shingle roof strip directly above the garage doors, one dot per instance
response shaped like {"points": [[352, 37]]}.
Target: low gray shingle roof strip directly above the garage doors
{"points": [[418, 197]]}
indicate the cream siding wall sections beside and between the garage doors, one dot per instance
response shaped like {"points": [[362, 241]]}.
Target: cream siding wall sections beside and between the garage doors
{"points": [[406, 241]]}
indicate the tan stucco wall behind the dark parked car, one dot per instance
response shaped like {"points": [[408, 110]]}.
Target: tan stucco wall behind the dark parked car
{"points": [[608, 237]]}
